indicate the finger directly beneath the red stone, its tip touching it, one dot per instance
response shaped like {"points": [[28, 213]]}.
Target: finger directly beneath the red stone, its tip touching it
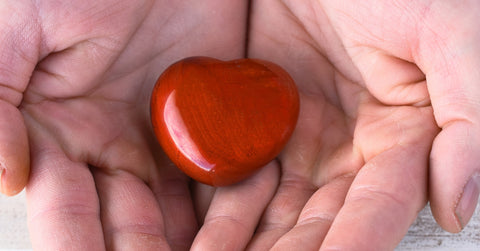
{"points": [[235, 211]]}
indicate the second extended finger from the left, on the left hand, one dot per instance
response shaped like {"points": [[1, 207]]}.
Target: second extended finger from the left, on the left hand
{"points": [[131, 216]]}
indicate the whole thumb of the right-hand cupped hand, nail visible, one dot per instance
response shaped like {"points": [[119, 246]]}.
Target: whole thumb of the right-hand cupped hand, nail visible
{"points": [[450, 58]]}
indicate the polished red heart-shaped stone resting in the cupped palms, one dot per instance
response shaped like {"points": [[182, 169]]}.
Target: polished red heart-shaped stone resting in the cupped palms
{"points": [[221, 121]]}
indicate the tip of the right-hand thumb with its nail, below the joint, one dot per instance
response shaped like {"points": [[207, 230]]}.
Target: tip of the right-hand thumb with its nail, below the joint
{"points": [[454, 176]]}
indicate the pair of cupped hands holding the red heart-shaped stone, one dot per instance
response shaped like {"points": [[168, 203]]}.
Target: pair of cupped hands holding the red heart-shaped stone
{"points": [[389, 119]]}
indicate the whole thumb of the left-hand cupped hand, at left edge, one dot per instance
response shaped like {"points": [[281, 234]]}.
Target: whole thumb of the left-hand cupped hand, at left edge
{"points": [[19, 52]]}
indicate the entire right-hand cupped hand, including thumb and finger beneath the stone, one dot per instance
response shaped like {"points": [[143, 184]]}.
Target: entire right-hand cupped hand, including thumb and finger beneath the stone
{"points": [[389, 110]]}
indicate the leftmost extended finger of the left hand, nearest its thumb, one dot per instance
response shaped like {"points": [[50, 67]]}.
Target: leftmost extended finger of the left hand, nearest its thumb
{"points": [[62, 203]]}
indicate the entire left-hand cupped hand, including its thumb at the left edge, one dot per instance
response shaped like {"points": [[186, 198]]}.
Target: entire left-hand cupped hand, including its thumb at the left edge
{"points": [[77, 75]]}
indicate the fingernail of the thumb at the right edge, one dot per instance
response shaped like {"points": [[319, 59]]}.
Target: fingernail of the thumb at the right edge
{"points": [[468, 202]]}
